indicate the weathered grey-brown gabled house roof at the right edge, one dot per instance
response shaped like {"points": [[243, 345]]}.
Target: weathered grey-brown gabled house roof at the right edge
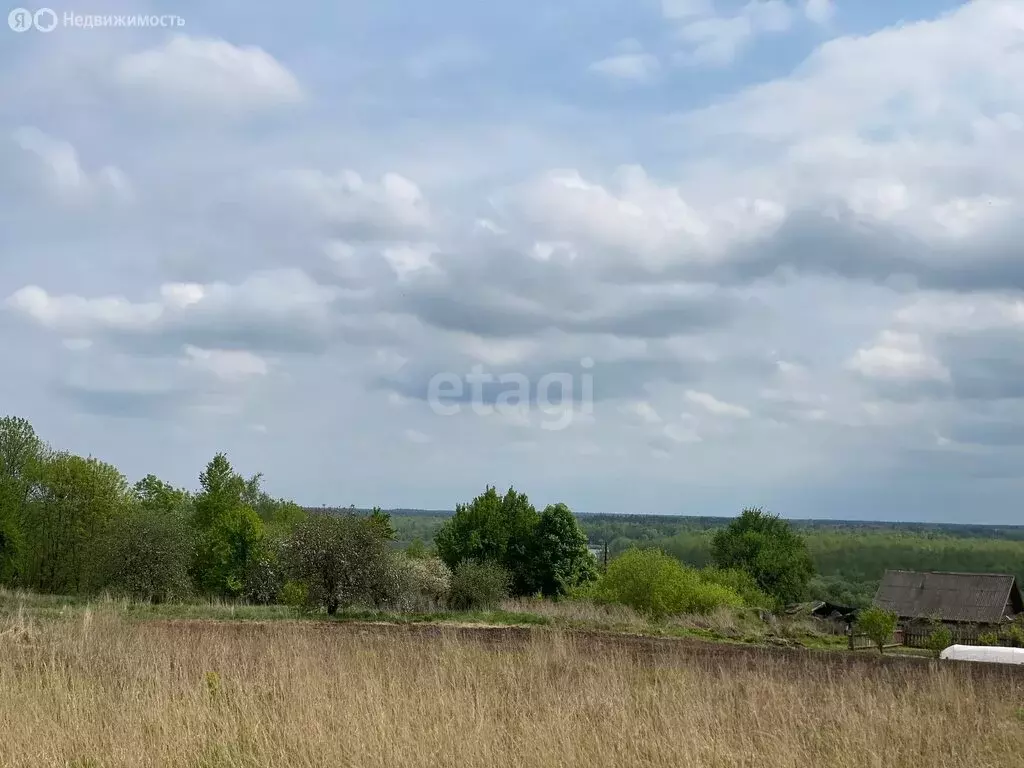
{"points": [[954, 598]]}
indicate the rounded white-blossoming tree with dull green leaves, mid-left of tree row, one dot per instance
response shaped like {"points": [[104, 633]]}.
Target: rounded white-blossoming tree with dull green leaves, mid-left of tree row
{"points": [[342, 560]]}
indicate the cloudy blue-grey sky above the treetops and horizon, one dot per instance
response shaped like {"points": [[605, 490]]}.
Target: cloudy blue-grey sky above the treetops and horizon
{"points": [[711, 254]]}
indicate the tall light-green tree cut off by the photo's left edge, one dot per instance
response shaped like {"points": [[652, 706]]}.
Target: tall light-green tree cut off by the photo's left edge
{"points": [[22, 454]]}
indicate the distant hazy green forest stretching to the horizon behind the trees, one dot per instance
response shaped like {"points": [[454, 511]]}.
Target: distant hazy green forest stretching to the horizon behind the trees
{"points": [[850, 556]]}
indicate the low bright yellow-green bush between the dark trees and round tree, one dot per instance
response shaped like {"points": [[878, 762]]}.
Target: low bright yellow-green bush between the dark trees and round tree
{"points": [[658, 585]]}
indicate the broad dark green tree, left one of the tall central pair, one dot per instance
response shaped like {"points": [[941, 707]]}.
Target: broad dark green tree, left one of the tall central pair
{"points": [[495, 529]]}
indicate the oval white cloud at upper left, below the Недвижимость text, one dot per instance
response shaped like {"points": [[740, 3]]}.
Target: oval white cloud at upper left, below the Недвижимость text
{"points": [[211, 75]]}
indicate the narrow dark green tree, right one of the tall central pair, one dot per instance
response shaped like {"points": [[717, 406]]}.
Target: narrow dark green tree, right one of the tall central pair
{"points": [[562, 559]]}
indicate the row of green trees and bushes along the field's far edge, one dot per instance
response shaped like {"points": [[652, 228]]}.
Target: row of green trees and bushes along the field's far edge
{"points": [[72, 525]]}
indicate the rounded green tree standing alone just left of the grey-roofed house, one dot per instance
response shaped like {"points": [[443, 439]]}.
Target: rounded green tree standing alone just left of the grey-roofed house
{"points": [[769, 549]]}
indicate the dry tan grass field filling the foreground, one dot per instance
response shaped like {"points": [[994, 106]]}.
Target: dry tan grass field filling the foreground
{"points": [[100, 691]]}
